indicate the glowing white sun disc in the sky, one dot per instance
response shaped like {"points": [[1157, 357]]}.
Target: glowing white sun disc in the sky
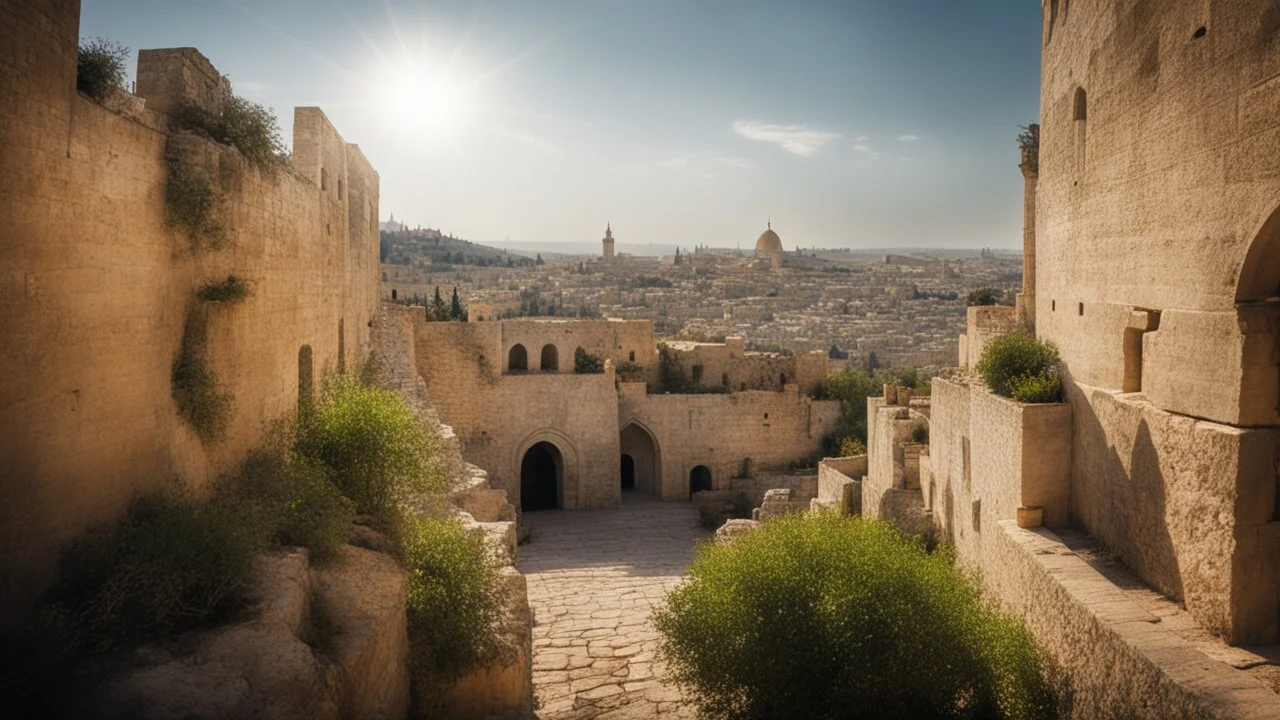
{"points": [[424, 99]]}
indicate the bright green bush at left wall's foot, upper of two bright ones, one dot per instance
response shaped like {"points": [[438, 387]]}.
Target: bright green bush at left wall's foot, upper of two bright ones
{"points": [[376, 448]]}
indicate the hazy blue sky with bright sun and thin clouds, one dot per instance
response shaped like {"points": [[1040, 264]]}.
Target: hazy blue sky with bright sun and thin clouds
{"points": [[847, 124]]}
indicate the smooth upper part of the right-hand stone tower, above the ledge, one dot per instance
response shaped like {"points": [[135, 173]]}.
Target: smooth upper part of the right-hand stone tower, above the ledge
{"points": [[1156, 193]]}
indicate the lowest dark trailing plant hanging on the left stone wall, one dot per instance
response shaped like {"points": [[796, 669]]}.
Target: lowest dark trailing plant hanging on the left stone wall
{"points": [[195, 385]]}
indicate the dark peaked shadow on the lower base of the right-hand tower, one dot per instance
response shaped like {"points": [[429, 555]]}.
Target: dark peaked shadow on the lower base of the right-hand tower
{"points": [[1124, 509]]}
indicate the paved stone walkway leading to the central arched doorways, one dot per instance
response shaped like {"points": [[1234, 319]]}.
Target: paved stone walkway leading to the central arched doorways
{"points": [[595, 576]]}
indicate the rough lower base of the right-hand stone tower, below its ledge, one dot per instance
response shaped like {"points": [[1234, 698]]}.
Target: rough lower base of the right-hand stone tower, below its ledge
{"points": [[1194, 514]]}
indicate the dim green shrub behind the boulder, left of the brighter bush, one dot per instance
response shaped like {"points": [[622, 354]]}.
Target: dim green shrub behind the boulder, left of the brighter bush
{"points": [[295, 503]]}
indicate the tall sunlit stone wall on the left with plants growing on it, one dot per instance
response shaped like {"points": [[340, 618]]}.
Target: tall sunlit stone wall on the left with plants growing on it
{"points": [[97, 290]]}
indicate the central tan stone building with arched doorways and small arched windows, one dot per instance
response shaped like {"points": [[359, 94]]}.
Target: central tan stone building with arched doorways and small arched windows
{"points": [[557, 439]]}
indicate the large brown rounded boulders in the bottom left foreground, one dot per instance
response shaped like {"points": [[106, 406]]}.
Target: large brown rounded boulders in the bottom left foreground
{"points": [[328, 644]]}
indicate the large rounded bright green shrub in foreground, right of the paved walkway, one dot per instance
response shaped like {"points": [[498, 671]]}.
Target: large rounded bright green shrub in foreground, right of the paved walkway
{"points": [[829, 617]]}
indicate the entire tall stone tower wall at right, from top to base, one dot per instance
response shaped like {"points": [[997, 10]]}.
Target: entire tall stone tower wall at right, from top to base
{"points": [[1158, 249]]}
